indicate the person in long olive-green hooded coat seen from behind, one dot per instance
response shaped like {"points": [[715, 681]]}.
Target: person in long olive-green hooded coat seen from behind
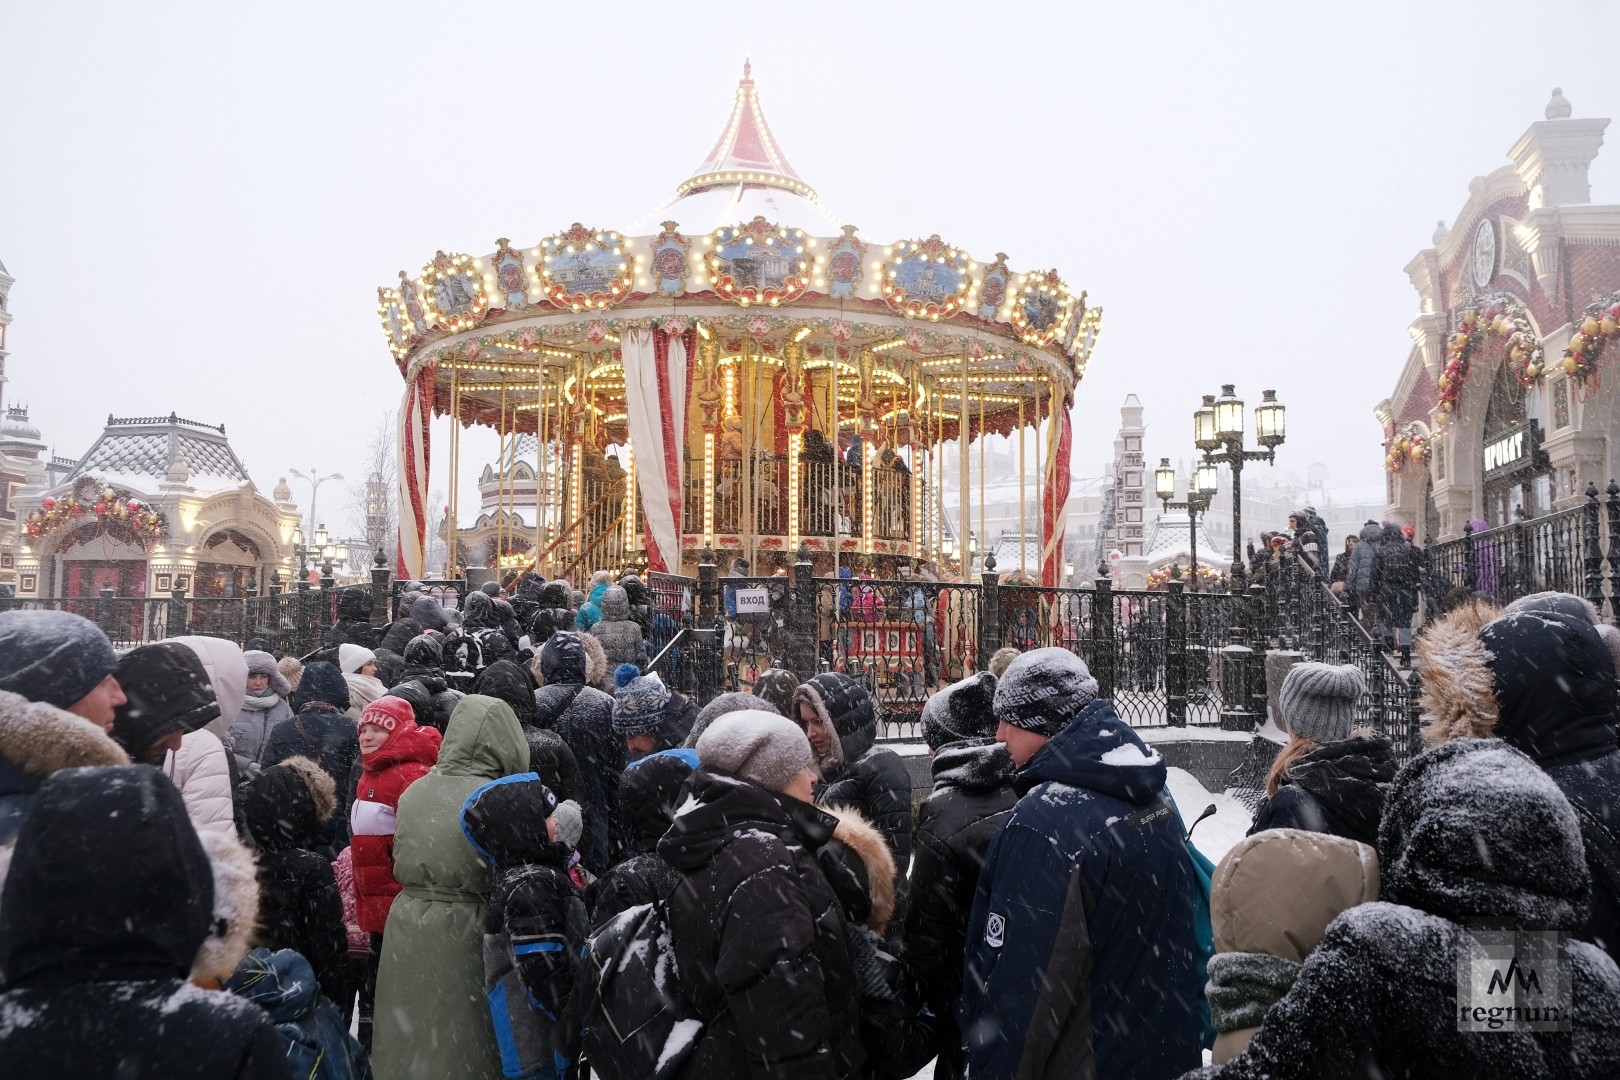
{"points": [[432, 1016]]}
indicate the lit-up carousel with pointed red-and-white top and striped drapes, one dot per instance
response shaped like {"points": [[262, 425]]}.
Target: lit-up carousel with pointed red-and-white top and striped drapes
{"points": [[751, 376]]}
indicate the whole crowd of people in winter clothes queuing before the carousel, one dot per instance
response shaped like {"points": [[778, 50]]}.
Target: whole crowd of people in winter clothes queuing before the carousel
{"points": [[471, 844]]}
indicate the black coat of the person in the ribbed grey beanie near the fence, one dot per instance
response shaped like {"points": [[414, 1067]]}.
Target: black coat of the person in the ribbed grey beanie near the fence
{"points": [[1337, 789]]}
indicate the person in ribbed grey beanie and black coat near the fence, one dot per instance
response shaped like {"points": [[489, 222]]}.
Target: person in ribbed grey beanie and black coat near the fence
{"points": [[1328, 780]]}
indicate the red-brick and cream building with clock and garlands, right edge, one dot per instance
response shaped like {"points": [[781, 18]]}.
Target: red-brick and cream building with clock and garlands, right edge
{"points": [[1509, 401]]}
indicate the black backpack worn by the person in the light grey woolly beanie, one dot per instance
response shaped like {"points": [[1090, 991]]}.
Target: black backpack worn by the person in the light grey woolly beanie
{"points": [[636, 1023]]}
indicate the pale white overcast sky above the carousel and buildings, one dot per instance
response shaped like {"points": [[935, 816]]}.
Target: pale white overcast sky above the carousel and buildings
{"points": [[198, 202]]}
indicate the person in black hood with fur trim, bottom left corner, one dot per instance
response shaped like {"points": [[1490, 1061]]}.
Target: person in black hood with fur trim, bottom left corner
{"points": [[101, 930]]}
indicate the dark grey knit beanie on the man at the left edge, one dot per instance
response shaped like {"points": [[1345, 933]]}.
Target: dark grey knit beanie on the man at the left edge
{"points": [[53, 657]]}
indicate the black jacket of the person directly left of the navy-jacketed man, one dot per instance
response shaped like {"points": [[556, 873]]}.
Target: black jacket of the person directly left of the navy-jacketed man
{"points": [[973, 797]]}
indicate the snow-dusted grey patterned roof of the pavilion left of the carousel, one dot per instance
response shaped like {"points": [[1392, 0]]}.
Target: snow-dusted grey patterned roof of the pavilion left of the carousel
{"points": [[145, 453]]}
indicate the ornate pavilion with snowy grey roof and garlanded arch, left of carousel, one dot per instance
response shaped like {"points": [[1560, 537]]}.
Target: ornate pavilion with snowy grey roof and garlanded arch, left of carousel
{"points": [[158, 503]]}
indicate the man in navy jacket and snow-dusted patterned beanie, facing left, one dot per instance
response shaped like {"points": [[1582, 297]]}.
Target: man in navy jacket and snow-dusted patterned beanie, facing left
{"points": [[1081, 943]]}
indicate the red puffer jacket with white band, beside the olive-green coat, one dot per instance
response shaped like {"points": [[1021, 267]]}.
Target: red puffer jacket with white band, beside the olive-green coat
{"points": [[385, 776]]}
